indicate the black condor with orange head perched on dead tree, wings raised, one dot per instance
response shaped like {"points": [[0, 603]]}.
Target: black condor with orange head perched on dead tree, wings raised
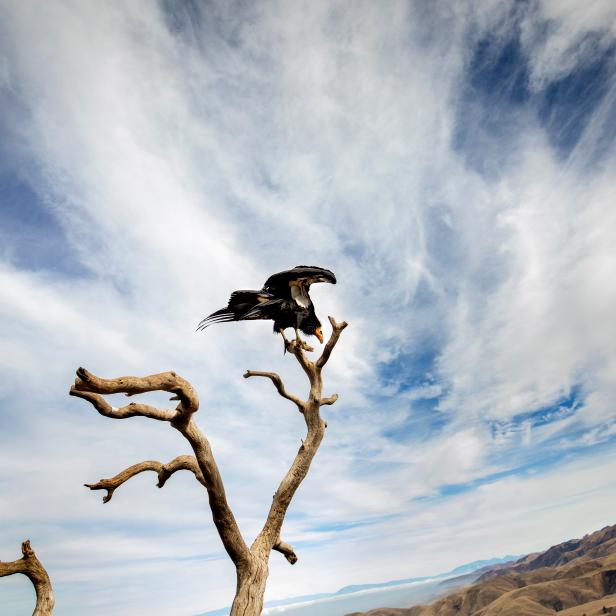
{"points": [[284, 299]]}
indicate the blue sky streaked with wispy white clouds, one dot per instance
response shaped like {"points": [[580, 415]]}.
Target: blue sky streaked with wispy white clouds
{"points": [[452, 163]]}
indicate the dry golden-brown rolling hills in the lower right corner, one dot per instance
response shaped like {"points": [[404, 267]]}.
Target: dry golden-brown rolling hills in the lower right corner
{"points": [[574, 578]]}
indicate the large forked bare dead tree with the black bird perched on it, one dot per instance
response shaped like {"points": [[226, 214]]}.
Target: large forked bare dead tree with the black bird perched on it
{"points": [[251, 563]]}
